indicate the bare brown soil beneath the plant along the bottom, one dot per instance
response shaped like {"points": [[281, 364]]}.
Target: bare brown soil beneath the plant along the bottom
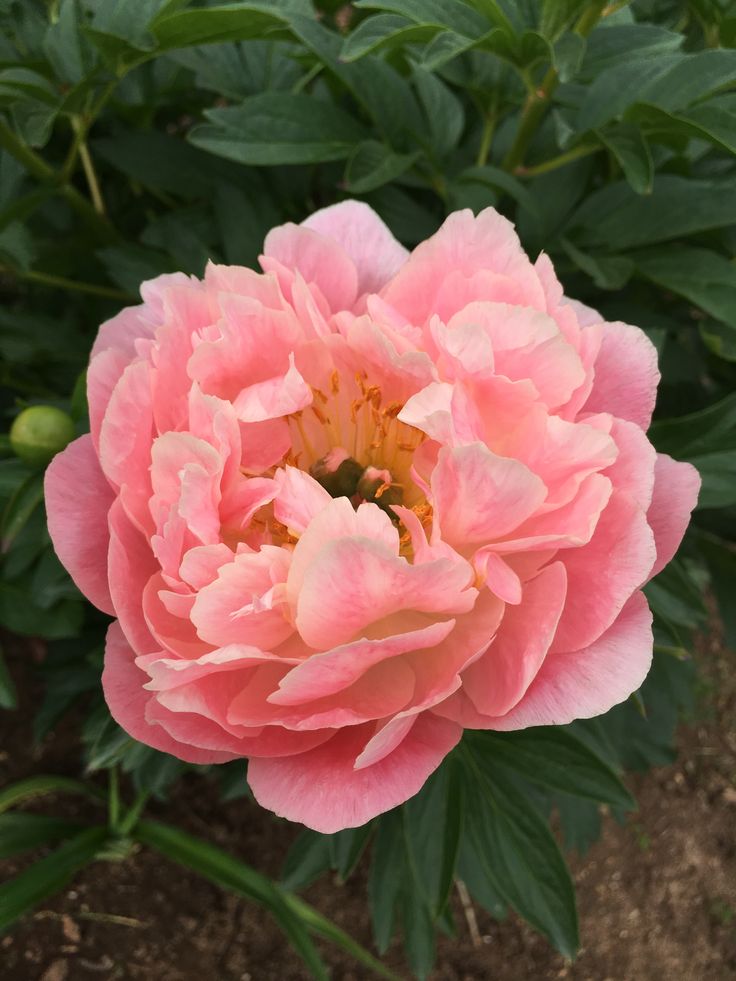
{"points": [[657, 896]]}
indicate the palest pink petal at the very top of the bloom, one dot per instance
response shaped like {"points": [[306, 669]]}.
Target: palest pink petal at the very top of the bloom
{"points": [[361, 233]]}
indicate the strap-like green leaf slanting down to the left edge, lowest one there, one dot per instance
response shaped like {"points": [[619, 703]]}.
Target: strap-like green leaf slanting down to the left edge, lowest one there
{"points": [[48, 876]]}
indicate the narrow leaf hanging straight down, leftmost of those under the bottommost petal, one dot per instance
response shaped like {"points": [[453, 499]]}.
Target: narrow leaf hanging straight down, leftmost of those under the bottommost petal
{"points": [[387, 874]]}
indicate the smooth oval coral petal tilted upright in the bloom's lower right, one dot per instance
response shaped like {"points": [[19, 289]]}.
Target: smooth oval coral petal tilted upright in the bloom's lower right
{"points": [[498, 680]]}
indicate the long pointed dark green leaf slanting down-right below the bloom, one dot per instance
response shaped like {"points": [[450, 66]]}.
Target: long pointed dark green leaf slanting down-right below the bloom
{"points": [[518, 853]]}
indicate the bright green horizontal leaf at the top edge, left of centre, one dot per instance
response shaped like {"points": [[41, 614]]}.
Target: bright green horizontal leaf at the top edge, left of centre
{"points": [[236, 22]]}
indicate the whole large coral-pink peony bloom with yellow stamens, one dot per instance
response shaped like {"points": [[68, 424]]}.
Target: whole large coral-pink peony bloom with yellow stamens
{"points": [[345, 508]]}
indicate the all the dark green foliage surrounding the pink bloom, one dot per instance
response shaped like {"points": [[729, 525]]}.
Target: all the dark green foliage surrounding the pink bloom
{"points": [[149, 137]]}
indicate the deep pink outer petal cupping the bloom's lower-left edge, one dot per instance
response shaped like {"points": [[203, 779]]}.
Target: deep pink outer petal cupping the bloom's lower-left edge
{"points": [[123, 682]]}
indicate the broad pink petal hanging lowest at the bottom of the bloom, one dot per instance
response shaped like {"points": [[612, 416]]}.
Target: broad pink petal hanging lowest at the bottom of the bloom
{"points": [[323, 790]]}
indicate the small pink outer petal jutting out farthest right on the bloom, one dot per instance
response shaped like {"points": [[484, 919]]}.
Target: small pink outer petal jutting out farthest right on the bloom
{"points": [[676, 487]]}
